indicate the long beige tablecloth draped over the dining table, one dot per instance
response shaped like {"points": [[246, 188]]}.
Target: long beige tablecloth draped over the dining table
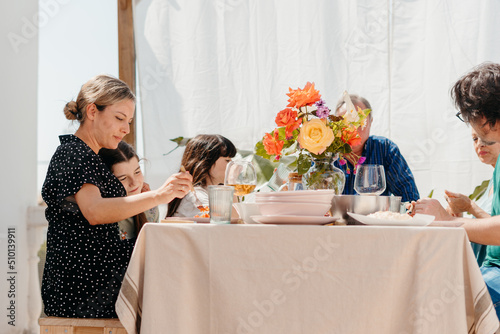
{"points": [[196, 278]]}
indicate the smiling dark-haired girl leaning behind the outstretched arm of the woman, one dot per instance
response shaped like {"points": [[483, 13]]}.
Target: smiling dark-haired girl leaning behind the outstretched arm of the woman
{"points": [[123, 162]]}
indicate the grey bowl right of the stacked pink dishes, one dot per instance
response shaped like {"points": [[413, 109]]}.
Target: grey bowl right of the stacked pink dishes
{"points": [[363, 205]]}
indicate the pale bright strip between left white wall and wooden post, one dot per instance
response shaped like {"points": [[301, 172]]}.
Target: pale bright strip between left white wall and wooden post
{"points": [[71, 51]]}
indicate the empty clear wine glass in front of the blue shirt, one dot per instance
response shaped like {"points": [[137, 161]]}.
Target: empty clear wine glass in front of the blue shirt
{"points": [[370, 180]]}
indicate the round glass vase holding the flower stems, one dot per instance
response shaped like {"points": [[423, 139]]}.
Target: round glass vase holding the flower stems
{"points": [[324, 175]]}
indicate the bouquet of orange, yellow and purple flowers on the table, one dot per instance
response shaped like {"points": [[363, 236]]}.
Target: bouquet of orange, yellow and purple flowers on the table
{"points": [[307, 130]]}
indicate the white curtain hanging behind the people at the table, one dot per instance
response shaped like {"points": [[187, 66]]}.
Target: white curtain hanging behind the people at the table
{"points": [[224, 66]]}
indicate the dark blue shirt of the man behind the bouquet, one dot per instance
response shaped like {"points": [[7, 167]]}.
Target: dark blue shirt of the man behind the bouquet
{"points": [[399, 178]]}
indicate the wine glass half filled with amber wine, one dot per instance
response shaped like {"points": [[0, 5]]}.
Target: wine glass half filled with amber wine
{"points": [[241, 175]]}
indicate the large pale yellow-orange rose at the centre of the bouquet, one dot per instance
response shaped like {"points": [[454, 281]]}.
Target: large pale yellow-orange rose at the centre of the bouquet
{"points": [[315, 136]]}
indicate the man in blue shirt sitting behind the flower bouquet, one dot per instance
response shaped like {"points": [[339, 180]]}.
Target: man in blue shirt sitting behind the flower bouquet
{"points": [[378, 151]]}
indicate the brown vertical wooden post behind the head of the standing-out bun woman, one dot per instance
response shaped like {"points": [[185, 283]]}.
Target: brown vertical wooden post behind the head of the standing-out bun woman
{"points": [[126, 54]]}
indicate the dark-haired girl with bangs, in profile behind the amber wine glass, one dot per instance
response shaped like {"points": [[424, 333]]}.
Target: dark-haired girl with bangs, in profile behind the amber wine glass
{"points": [[205, 158]]}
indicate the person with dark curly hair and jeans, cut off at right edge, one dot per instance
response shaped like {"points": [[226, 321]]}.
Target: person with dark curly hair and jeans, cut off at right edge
{"points": [[477, 97]]}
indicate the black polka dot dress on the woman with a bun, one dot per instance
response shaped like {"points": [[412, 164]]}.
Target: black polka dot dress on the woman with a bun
{"points": [[85, 264]]}
